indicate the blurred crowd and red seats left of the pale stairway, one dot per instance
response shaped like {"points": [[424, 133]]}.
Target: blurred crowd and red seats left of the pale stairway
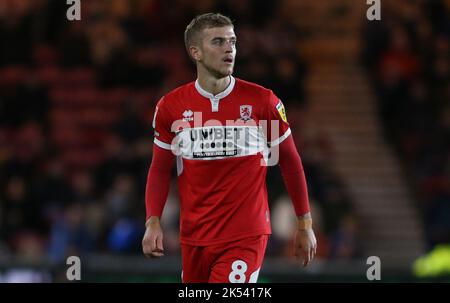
{"points": [[76, 105]]}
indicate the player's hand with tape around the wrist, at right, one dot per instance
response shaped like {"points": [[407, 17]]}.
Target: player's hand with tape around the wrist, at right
{"points": [[305, 243]]}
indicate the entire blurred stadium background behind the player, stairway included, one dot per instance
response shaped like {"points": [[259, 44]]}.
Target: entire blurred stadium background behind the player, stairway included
{"points": [[368, 103]]}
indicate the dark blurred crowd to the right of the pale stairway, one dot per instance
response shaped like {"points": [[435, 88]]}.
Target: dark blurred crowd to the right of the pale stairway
{"points": [[408, 56]]}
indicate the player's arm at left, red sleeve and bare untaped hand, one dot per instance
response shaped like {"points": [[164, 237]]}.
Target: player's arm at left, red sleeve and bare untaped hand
{"points": [[157, 190]]}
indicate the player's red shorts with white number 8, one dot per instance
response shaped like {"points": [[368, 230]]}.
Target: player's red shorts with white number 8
{"points": [[236, 262]]}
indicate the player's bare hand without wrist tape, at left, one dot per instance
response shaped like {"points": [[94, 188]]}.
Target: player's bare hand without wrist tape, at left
{"points": [[152, 243]]}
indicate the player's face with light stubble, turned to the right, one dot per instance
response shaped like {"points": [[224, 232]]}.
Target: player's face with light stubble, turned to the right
{"points": [[218, 51]]}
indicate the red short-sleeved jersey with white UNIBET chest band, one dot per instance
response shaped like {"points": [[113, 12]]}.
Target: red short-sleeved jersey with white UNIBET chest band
{"points": [[221, 146]]}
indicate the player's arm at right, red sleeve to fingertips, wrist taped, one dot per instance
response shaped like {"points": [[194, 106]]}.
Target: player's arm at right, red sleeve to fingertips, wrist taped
{"points": [[294, 178]]}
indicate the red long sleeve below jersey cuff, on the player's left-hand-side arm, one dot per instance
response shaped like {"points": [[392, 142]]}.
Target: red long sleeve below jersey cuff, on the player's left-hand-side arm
{"points": [[158, 182]]}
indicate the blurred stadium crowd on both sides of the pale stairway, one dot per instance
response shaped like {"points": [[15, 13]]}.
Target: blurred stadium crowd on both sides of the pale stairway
{"points": [[77, 98]]}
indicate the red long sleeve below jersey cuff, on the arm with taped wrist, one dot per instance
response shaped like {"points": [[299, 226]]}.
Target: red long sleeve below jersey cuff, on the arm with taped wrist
{"points": [[294, 176]]}
